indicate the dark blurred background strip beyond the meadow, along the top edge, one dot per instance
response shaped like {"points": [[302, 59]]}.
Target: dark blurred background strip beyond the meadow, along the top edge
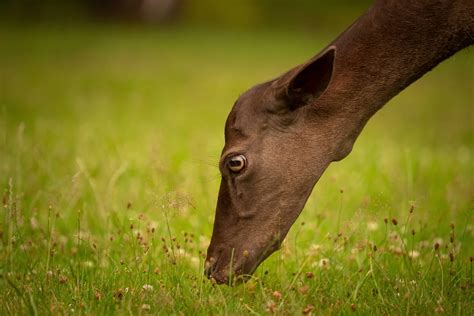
{"points": [[234, 13]]}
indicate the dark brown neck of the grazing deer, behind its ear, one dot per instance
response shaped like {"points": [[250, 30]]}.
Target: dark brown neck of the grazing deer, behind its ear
{"points": [[391, 46]]}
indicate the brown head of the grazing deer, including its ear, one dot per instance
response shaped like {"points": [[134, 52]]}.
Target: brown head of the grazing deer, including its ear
{"points": [[279, 138]]}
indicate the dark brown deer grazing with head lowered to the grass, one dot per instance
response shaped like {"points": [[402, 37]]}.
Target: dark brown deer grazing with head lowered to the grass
{"points": [[282, 134]]}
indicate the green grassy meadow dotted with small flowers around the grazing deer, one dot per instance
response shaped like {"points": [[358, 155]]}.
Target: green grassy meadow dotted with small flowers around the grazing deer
{"points": [[109, 142]]}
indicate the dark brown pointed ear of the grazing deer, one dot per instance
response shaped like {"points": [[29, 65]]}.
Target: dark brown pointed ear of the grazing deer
{"points": [[308, 81]]}
